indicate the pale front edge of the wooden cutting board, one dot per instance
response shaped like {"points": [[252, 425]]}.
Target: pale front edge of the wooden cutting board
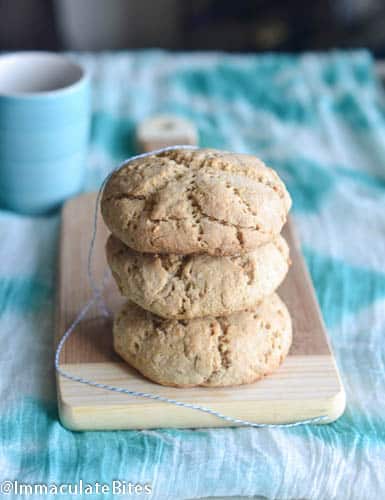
{"points": [[117, 415]]}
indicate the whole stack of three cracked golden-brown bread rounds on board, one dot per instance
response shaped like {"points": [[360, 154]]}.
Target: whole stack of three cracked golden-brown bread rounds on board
{"points": [[196, 250]]}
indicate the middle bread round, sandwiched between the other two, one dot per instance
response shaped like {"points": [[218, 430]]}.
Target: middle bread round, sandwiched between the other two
{"points": [[190, 286]]}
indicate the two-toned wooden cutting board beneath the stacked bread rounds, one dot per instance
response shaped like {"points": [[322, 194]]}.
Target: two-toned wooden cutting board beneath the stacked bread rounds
{"points": [[307, 385]]}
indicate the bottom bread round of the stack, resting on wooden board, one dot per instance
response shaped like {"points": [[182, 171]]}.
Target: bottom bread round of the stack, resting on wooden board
{"points": [[215, 352]]}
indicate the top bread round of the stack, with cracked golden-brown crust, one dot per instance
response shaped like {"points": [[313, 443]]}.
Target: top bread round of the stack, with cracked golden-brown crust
{"points": [[195, 201]]}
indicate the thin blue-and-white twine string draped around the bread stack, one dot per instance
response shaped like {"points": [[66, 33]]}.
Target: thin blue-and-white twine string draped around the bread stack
{"points": [[97, 299]]}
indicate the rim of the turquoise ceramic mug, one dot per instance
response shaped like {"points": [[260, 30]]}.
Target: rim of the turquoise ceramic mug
{"points": [[83, 75]]}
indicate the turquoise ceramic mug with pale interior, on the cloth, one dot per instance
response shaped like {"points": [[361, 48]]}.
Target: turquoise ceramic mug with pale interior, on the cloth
{"points": [[44, 128]]}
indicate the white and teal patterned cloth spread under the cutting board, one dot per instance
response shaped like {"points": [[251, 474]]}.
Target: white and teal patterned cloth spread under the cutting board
{"points": [[318, 119]]}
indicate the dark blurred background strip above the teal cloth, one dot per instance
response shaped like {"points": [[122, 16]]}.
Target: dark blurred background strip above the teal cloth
{"points": [[240, 25]]}
